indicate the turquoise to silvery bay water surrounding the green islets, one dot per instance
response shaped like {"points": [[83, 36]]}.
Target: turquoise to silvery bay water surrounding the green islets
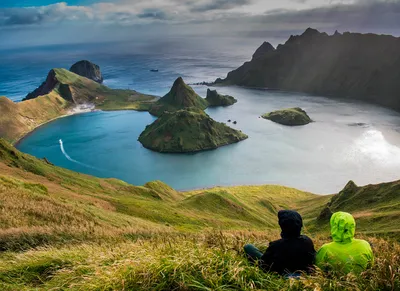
{"points": [[320, 157]]}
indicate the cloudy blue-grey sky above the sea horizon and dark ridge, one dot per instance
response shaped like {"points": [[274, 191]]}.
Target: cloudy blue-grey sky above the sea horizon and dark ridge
{"points": [[34, 22]]}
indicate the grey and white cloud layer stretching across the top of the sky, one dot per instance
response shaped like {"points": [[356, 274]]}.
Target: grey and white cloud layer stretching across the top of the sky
{"points": [[248, 17]]}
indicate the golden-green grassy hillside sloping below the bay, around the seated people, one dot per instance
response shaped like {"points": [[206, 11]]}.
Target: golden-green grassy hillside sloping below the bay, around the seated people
{"points": [[61, 230]]}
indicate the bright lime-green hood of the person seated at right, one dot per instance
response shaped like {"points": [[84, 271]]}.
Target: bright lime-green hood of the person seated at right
{"points": [[343, 227]]}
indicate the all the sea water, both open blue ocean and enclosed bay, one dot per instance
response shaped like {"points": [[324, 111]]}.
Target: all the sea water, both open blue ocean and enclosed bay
{"points": [[348, 140]]}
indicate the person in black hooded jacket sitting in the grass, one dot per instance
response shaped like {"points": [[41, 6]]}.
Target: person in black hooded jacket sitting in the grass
{"points": [[292, 254]]}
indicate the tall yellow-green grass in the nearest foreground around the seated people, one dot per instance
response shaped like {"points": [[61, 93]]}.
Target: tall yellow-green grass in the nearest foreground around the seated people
{"points": [[210, 261]]}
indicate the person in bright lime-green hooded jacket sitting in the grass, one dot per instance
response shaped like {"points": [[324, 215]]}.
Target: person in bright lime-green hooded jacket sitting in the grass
{"points": [[345, 254]]}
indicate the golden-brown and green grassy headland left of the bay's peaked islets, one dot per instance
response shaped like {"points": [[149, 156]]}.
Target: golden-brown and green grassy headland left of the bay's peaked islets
{"points": [[18, 119]]}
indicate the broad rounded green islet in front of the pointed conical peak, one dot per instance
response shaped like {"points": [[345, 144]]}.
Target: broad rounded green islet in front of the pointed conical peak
{"points": [[189, 130]]}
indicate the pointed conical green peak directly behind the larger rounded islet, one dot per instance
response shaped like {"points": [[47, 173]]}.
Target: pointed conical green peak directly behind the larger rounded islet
{"points": [[179, 97]]}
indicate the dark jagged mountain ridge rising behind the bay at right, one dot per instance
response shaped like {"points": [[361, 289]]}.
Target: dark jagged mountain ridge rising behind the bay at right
{"points": [[348, 65]]}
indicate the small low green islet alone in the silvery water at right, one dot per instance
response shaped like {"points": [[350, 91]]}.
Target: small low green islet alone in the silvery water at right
{"points": [[291, 117]]}
